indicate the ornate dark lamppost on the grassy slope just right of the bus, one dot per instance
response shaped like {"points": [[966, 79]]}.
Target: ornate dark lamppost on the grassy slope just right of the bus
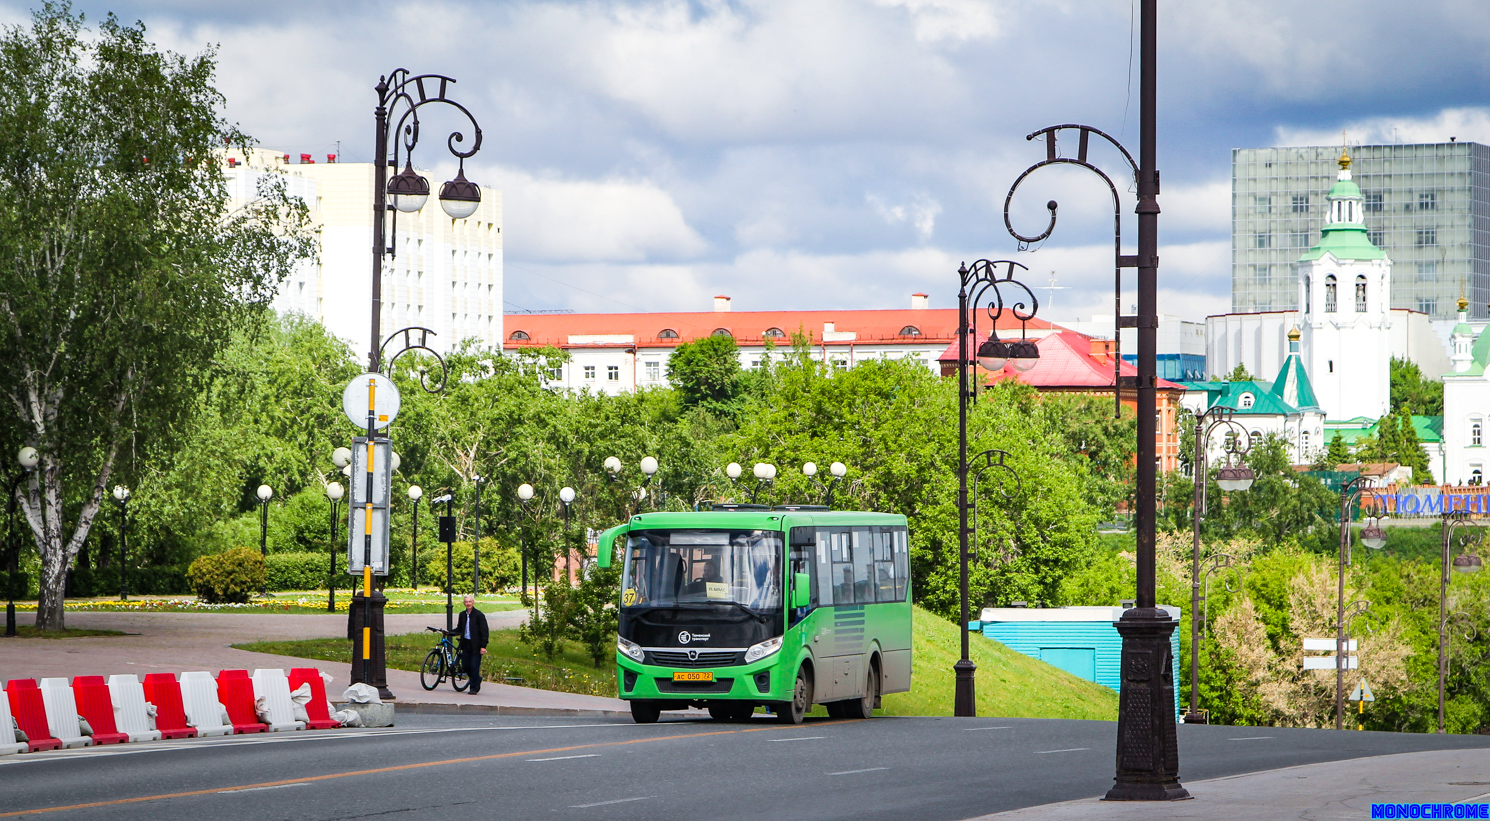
{"points": [[983, 285]]}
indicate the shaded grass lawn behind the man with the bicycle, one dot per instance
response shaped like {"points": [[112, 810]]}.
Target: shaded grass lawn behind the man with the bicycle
{"points": [[507, 661]]}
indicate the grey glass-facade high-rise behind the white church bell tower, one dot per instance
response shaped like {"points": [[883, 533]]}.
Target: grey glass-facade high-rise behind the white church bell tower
{"points": [[1427, 206]]}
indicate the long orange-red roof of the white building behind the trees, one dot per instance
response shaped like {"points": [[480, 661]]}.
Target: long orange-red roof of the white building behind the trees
{"points": [[746, 327]]}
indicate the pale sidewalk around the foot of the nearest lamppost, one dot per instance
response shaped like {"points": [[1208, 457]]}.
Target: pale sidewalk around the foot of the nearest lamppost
{"points": [[1310, 792]]}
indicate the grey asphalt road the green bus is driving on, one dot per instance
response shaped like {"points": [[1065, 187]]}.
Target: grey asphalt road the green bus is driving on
{"points": [[437, 767]]}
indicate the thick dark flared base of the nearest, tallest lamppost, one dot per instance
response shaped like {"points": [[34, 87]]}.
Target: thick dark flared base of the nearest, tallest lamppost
{"points": [[1148, 749]]}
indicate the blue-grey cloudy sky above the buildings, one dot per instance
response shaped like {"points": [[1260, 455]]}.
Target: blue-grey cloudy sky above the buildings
{"points": [[828, 154]]}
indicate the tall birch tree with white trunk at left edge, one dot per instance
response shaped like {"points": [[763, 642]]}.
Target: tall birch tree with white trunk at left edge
{"points": [[123, 269]]}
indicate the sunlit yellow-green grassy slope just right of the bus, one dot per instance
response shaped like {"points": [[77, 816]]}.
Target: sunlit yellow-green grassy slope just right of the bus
{"points": [[1008, 683]]}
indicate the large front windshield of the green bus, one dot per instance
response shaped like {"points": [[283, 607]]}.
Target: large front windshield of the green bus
{"points": [[671, 568]]}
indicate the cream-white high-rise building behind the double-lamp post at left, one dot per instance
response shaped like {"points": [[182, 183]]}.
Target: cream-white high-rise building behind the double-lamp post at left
{"points": [[446, 275]]}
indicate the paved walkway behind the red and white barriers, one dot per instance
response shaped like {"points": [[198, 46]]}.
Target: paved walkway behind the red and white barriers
{"points": [[200, 641]]}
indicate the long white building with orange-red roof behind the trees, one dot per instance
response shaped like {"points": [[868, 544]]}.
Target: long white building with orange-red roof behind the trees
{"points": [[621, 352]]}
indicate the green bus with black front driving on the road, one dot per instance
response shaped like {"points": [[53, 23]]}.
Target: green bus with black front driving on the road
{"points": [[747, 606]]}
